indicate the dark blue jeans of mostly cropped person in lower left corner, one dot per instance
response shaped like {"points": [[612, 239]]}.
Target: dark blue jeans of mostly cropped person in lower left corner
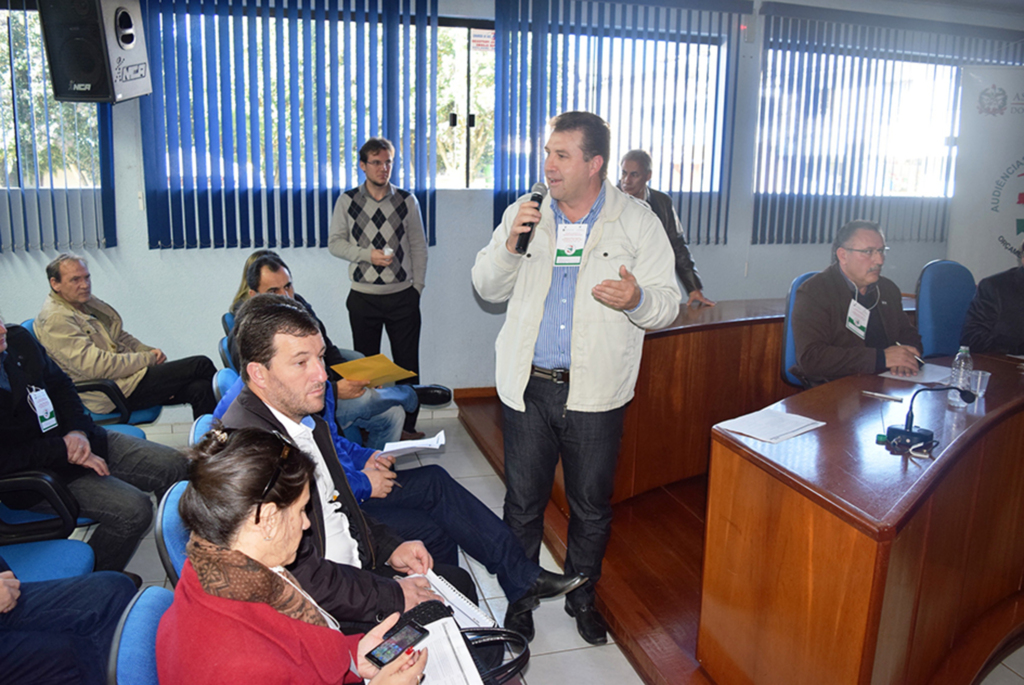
{"points": [[61, 631]]}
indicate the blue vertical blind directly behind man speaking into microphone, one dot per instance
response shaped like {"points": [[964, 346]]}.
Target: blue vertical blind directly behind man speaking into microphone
{"points": [[663, 77]]}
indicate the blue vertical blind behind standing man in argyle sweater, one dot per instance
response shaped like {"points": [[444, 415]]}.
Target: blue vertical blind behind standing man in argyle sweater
{"points": [[260, 109]]}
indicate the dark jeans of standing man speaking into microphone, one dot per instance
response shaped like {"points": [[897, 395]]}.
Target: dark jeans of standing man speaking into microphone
{"points": [[588, 444]]}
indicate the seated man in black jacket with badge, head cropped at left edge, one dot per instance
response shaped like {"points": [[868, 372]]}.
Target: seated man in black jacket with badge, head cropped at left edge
{"points": [[109, 474]]}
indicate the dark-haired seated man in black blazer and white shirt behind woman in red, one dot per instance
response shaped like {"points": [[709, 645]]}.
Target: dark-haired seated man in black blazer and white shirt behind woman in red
{"points": [[347, 562]]}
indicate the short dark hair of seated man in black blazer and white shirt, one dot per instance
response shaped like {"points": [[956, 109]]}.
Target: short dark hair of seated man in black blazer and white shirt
{"points": [[264, 317]]}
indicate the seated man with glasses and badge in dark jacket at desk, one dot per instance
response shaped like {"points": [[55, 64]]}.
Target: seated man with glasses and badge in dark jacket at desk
{"points": [[849, 319]]}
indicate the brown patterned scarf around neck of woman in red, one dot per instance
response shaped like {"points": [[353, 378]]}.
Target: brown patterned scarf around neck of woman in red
{"points": [[232, 575]]}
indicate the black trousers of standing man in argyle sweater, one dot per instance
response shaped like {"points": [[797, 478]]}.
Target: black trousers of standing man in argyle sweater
{"points": [[400, 314]]}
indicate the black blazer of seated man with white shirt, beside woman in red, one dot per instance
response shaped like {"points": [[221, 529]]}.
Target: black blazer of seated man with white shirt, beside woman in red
{"points": [[352, 595]]}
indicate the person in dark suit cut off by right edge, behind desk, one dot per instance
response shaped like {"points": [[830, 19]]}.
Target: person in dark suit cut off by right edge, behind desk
{"points": [[996, 320]]}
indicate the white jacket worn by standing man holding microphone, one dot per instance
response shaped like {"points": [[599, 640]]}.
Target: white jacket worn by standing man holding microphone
{"points": [[607, 344]]}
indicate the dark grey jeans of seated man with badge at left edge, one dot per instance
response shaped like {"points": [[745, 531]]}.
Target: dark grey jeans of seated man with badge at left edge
{"points": [[120, 503]]}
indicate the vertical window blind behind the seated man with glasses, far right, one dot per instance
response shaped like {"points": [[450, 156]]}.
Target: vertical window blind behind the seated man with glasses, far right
{"points": [[859, 120]]}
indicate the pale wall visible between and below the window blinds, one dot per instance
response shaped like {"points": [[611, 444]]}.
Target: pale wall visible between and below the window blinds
{"points": [[175, 299]]}
